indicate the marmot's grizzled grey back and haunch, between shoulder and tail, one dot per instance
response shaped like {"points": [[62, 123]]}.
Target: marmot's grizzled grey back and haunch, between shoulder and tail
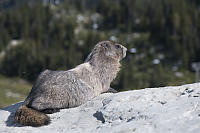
{"points": [[58, 89]]}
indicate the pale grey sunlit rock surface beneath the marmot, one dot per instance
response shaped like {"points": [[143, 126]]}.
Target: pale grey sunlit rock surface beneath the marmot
{"points": [[151, 110]]}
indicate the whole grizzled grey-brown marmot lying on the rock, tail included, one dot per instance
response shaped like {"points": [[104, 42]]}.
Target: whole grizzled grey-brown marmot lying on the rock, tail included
{"points": [[54, 90]]}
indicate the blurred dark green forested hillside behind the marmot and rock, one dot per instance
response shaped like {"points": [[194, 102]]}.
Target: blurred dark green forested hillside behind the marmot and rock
{"points": [[162, 37]]}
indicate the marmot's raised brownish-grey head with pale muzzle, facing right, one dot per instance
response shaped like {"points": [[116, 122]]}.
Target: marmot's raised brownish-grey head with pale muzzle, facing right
{"points": [[108, 49]]}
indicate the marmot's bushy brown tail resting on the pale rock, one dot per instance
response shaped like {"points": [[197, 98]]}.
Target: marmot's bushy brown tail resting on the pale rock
{"points": [[30, 117]]}
